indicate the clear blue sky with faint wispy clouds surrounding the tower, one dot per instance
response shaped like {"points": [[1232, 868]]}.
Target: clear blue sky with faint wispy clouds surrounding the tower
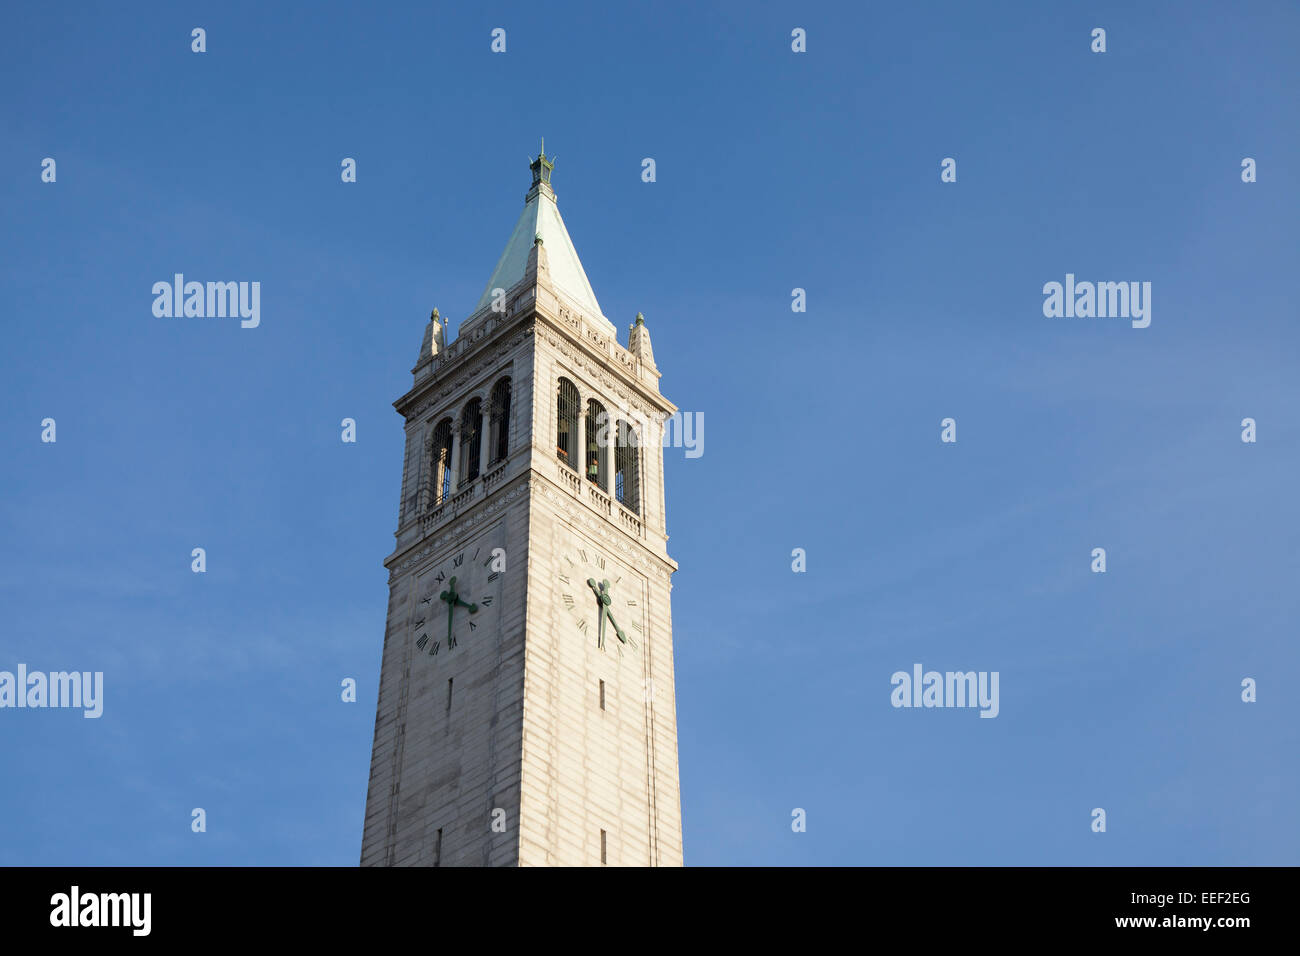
{"points": [[775, 171]]}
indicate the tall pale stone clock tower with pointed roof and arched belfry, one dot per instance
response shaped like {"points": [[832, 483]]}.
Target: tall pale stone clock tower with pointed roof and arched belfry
{"points": [[526, 710]]}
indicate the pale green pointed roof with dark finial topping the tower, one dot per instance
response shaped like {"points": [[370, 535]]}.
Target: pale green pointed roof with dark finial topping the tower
{"points": [[541, 218]]}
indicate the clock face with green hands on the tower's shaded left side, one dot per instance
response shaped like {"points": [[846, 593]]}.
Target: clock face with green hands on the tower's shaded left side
{"points": [[457, 602]]}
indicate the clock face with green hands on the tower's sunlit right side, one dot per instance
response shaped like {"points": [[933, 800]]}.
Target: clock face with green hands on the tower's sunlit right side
{"points": [[601, 599]]}
